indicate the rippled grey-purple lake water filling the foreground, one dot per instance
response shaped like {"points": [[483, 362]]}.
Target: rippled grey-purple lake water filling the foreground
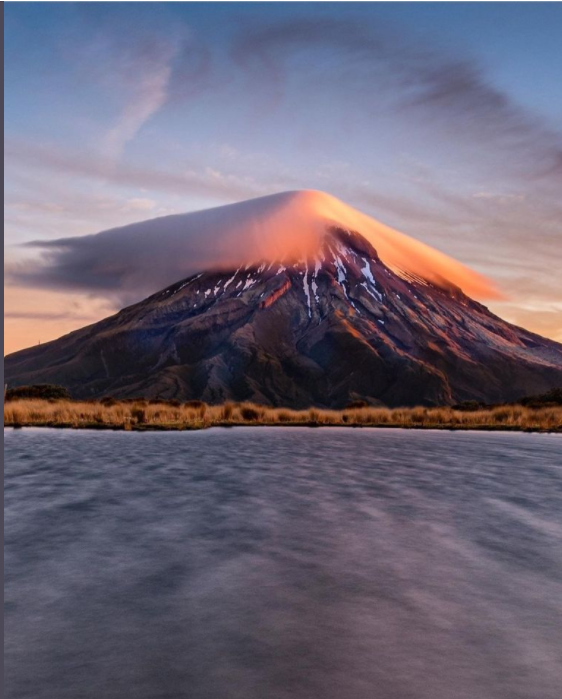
{"points": [[283, 563]]}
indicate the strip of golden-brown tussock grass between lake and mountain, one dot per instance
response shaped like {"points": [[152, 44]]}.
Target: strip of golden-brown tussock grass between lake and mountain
{"points": [[143, 415]]}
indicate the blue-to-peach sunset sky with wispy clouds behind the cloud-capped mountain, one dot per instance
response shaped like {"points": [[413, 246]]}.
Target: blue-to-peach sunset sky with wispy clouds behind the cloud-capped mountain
{"points": [[441, 120]]}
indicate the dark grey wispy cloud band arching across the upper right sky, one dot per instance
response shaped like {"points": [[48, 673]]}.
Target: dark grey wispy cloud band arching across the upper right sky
{"points": [[374, 68]]}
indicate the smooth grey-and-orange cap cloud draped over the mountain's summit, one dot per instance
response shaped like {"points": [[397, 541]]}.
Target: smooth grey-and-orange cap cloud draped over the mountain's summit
{"points": [[136, 260]]}
